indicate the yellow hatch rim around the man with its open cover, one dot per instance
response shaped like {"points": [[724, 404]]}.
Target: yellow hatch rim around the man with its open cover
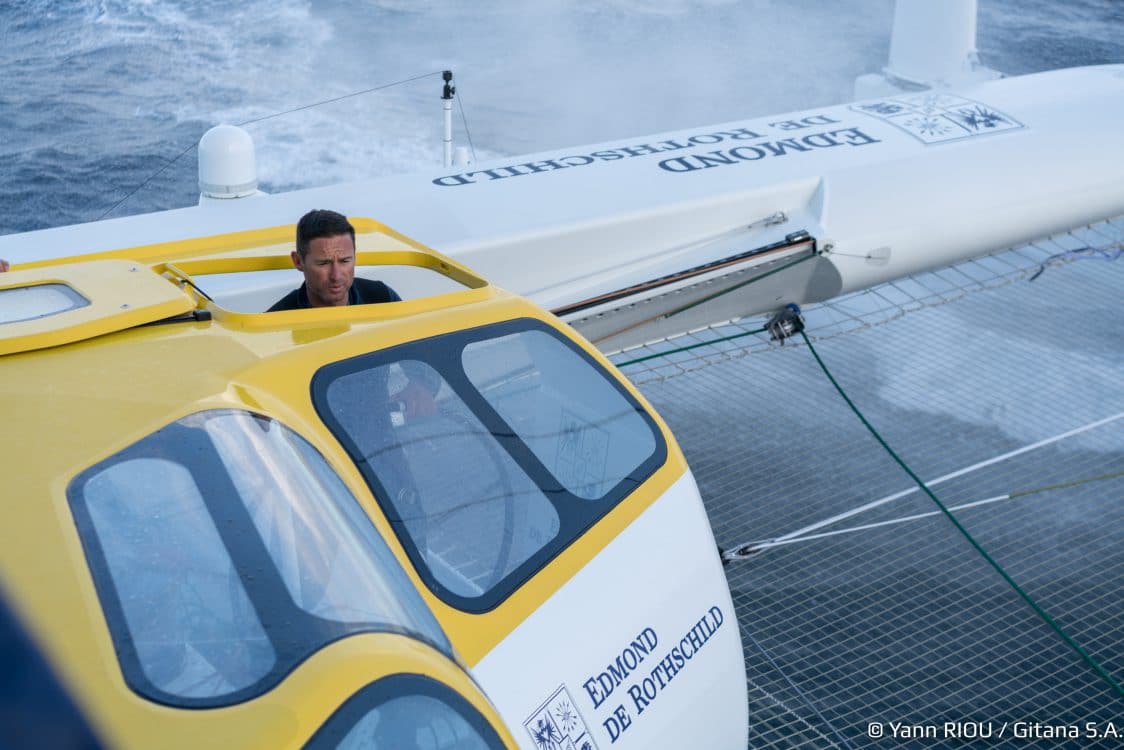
{"points": [[77, 299]]}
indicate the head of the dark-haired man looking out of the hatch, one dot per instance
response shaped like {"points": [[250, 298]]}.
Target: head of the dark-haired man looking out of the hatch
{"points": [[327, 256]]}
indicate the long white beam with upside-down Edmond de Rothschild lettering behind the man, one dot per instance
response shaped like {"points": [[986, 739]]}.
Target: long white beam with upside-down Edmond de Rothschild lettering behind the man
{"points": [[561, 227]]}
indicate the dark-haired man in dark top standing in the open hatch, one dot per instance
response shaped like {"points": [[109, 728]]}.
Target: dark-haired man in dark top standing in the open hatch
{"points": [[327, 256]]}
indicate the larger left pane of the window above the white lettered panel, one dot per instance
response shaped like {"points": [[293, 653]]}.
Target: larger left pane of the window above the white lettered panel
{"points": [[466, 504]]}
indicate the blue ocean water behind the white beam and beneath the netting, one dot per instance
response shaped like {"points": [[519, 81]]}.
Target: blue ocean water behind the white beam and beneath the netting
{"points": [[103, 98]]}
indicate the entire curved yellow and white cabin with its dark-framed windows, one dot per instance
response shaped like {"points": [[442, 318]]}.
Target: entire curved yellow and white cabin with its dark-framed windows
{"points": [[224, 528]]}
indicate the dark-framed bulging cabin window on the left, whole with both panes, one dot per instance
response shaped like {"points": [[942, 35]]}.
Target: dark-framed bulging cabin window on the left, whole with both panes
{"points": [[225, 552]]}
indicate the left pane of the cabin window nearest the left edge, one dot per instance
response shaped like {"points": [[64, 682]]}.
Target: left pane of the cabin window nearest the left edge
{"points": [[192, 622]]}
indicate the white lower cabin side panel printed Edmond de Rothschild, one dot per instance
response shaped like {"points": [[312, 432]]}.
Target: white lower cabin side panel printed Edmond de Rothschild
{"points": [[651, 579]]}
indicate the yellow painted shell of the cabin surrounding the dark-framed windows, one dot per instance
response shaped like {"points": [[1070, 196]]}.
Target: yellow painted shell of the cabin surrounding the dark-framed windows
{"points": [[70, 406]]}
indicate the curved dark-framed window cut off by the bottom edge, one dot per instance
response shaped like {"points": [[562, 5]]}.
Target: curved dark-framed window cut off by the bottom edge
{"points": [[406, 712]]}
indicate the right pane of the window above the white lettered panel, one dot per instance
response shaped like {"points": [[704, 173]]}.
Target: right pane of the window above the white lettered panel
{"points": [[577, 423]]}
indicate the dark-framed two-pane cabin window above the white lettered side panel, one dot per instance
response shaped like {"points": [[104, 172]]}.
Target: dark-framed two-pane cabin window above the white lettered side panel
{"points": [[491, 450]]}
